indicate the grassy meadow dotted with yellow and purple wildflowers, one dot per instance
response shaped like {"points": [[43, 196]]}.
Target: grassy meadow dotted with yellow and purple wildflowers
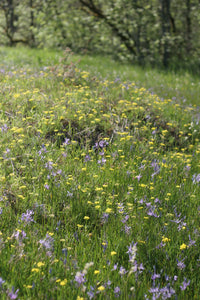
{"points": [[99, 179]]}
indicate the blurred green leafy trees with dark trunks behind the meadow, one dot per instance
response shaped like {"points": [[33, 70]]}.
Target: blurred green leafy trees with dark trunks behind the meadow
{"points": [[155, 32]]}
